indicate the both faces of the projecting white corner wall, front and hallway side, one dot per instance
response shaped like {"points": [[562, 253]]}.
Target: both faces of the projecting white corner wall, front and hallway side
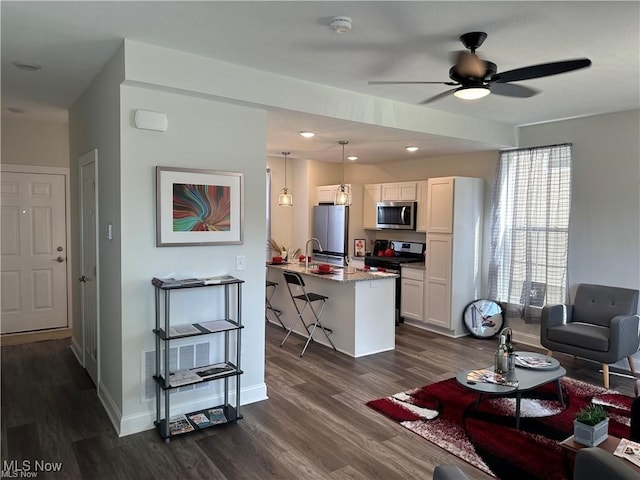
{"points": [[203, 134]]}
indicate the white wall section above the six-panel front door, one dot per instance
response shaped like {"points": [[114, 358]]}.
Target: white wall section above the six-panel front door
{"points": [[26, 141]]}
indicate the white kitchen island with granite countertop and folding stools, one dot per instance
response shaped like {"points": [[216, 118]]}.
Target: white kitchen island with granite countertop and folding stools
{"points": [[360, 310]]}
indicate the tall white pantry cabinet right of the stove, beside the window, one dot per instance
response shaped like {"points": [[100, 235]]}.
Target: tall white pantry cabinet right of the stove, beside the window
{"points": [[453, 259]]}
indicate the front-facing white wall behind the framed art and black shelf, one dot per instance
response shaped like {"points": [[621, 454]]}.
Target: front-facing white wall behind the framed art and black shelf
{"points": [[202, 134]]}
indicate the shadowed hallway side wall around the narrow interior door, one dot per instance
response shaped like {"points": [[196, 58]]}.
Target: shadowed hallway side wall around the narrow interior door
{"points": [[94, 123]]}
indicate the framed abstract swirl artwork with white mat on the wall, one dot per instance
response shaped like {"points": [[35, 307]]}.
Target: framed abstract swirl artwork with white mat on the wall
{"points": [[198, 207]]}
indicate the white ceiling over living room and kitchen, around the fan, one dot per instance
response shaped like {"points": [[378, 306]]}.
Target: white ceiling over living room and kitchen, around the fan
{"points": [[389, 41]]}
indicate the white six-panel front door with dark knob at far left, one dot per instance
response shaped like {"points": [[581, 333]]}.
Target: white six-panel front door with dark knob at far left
{"points": [[34, 252]]}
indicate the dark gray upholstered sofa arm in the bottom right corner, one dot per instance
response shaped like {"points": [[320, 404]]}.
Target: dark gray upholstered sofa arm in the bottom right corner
{"points": [[595, 463]]}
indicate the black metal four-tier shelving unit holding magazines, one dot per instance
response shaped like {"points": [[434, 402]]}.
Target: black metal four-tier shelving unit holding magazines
{"points": [[226, 369]]}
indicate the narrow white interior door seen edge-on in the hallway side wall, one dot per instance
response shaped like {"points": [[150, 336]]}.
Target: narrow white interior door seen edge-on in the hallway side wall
{"points": [[88, 263]]}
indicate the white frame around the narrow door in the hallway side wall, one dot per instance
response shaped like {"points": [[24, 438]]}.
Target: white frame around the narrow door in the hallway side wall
{"points": [[85, 159]]}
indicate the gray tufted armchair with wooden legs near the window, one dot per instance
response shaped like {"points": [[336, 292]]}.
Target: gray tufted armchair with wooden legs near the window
{"points": [[601, 325]]}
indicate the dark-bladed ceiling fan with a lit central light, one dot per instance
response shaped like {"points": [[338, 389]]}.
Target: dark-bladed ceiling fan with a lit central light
{"points": [[475, 78]]}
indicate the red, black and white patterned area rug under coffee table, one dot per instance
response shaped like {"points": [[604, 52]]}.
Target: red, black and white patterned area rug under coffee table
{"points": [[485, 436]]}
